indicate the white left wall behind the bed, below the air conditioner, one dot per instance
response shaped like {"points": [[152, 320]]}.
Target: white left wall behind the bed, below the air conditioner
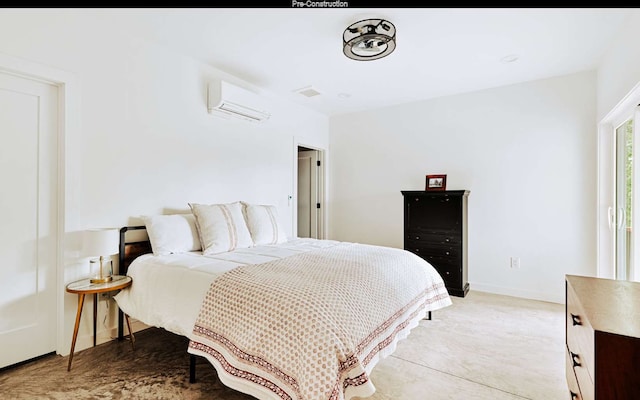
{"points": [[146, 144]]}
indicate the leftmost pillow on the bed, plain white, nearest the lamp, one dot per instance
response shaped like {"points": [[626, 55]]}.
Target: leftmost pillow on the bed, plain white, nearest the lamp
{"points": [[174, 233]]}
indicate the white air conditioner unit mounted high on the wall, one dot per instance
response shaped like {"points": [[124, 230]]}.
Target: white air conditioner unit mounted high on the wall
{"points": [[230, 101]]}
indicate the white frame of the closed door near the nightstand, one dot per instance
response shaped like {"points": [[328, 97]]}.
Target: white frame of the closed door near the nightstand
{"points": [[68, 106]]}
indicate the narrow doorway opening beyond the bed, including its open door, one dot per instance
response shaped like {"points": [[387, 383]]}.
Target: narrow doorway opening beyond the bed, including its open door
{"points": [[310, 183]]}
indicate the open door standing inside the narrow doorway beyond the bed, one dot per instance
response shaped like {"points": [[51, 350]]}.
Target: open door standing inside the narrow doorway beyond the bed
{"points": [[308, 194]]}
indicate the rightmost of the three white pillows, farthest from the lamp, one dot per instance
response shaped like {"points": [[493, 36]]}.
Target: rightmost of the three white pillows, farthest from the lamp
{"points": [[264, 224]]}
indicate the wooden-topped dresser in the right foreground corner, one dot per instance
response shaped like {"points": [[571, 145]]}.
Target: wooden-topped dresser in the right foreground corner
{"points": [[602, 338]]}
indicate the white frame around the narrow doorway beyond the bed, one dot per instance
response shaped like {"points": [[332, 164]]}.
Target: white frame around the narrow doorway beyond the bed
{"points": [[322, 189]]}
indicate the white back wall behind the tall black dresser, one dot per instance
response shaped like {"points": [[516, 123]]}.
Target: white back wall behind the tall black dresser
{"points": [[527, 154]]}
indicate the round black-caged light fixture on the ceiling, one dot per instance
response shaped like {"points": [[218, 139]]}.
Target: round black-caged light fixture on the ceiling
{"points": [[369, 39]]}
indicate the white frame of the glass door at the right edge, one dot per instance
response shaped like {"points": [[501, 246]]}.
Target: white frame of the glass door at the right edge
{"points": [[606, 196]]}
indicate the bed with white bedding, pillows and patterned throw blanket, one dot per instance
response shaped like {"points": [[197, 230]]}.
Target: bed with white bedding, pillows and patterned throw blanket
{"points": [[277, 317]]}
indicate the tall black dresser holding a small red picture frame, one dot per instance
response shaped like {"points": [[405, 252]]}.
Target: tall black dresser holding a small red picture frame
{"points": [[435, 228]]}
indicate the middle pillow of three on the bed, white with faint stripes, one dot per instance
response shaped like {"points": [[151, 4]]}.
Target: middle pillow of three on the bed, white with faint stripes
{"points": [[221, 227]]}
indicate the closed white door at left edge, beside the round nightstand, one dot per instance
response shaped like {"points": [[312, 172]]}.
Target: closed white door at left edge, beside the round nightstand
{"points": [[28, 238]]}
